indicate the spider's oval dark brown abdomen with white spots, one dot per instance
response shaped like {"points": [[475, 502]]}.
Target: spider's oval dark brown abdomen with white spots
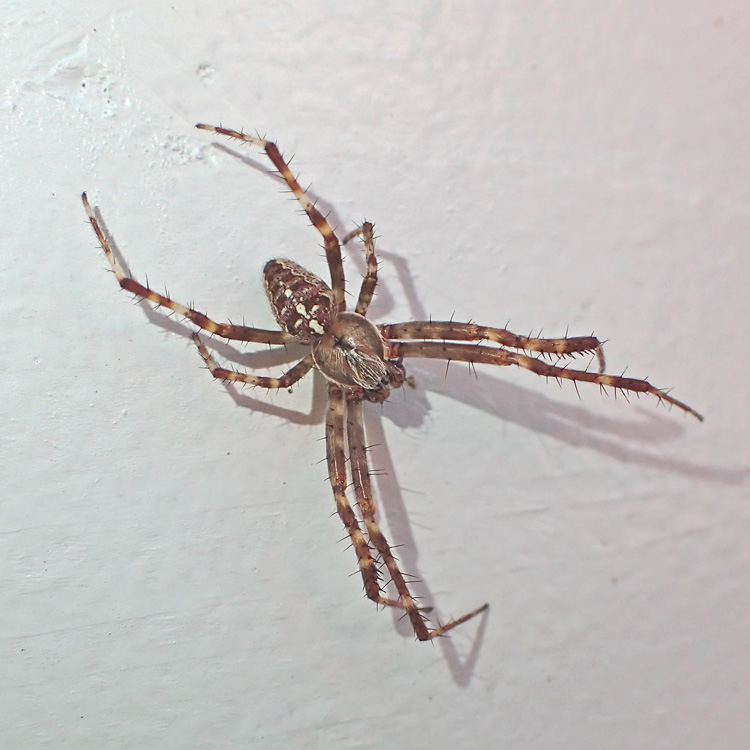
{"points": [[303, 304]]}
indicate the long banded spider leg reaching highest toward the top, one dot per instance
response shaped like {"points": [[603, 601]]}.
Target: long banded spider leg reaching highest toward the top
{"points": [[330, 241]]}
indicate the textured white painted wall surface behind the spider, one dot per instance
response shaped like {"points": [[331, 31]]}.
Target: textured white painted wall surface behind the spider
{"points": [[172, 576]]}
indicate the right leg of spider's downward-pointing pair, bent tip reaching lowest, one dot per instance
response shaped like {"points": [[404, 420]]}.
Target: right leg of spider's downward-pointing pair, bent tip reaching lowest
{"points": [[363, 490]]}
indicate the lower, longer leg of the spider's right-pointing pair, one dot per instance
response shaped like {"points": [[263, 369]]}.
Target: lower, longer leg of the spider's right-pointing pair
{"points": [[477, 353]]}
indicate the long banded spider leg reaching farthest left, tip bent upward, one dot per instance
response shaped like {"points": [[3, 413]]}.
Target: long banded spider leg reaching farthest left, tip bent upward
{"points": [[225, 330]]}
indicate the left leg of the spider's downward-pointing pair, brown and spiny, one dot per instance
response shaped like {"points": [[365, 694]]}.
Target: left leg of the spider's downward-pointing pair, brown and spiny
{"points": [[336, 459]]}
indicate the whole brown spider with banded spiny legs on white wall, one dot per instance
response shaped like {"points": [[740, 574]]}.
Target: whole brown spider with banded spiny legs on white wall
{"points": [[361, 362]]}
